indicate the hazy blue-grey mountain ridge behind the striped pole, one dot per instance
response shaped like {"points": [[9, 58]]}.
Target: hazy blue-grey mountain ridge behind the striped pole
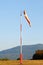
{"points": [[28, 51]]}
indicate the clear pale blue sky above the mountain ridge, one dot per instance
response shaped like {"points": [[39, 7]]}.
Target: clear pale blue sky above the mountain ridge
{"points": [[10, 23]]}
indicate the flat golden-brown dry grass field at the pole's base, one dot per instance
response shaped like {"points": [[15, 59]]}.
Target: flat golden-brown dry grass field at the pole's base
{"points": [[25, 62]]}
